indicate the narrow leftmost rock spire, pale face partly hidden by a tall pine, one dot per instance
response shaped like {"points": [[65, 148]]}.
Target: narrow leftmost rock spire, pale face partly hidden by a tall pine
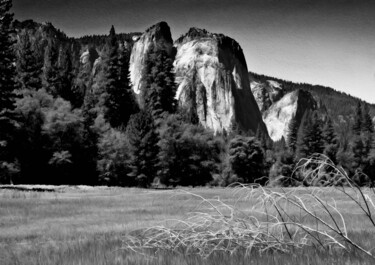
{"points": [[158, 35]]}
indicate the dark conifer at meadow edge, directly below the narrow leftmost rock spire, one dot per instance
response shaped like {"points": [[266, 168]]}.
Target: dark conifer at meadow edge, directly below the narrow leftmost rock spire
{"points": [[143, 140]]}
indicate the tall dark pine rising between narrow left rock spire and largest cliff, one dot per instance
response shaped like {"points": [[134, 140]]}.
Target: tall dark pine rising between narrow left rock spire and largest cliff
{"points": [[160, 88]]}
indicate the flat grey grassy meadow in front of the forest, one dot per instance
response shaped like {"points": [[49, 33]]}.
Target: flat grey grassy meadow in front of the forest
{"points": [[84, 225]]}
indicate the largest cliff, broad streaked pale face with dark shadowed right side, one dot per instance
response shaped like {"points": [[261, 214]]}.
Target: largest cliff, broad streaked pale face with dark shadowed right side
{"points": [[212, 80]]}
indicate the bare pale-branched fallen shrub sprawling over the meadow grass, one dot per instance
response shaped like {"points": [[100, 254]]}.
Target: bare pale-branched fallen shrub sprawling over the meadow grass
{"points": [[266, 220]]}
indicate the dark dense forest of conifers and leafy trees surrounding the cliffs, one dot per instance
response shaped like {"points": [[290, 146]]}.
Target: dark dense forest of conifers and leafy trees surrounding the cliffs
{"points": [[68, 115]]}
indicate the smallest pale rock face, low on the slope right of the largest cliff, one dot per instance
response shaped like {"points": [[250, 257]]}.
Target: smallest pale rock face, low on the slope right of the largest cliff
{"points": [[277, 116]]}
